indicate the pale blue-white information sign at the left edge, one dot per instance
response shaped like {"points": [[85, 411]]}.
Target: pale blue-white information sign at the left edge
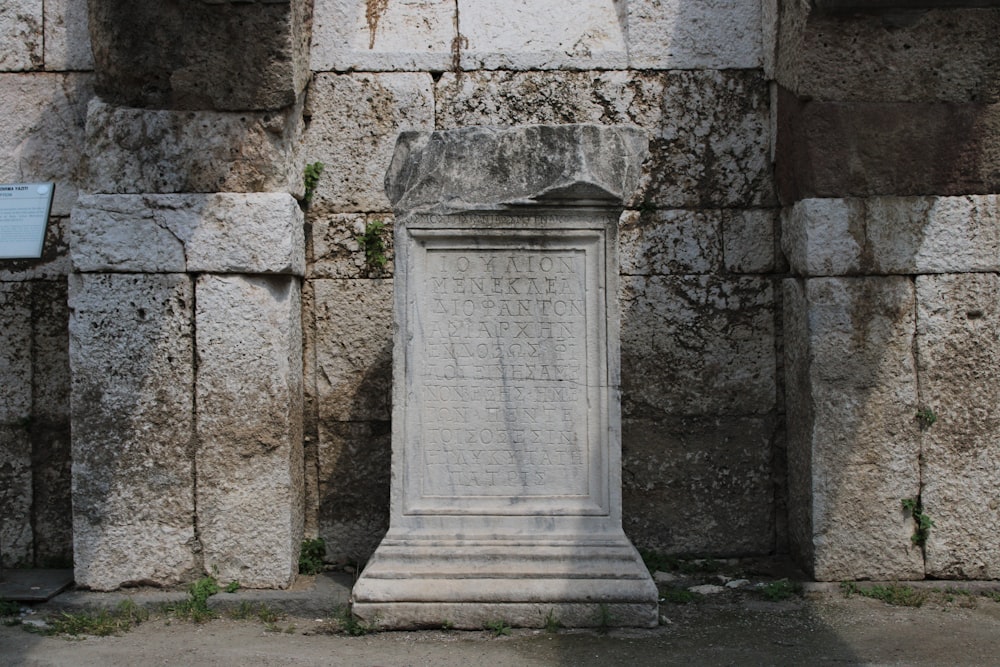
{"points": [[24, 213]]}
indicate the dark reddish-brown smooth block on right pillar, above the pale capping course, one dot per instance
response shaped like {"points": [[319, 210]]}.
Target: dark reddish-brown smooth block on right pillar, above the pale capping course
{"points": [[861, 149]]}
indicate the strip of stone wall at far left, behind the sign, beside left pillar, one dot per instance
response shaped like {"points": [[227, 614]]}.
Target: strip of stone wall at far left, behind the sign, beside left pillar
{"points": [[44, 88]]}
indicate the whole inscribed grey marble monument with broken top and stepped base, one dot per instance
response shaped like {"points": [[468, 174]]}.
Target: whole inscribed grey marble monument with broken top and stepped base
{"points": [[506, 452]]}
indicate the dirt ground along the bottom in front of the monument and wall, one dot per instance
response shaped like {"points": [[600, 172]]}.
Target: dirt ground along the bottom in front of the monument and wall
{"points": [[729, 628]]}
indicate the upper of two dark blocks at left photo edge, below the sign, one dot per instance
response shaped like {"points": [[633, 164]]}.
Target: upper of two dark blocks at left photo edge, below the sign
{"points": [[16, 352]]}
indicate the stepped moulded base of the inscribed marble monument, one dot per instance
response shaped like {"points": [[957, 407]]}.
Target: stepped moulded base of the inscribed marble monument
{"points": [[467, 584]]}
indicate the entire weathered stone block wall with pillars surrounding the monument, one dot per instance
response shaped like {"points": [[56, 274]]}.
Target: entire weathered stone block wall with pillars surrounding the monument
{"points": [[814, 227]]}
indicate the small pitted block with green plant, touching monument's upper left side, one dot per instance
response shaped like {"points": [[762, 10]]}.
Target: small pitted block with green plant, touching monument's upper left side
{"points": [[335, 251]]}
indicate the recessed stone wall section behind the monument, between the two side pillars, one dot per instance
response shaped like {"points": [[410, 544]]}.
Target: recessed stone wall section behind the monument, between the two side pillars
{"points": [[702, 419]]}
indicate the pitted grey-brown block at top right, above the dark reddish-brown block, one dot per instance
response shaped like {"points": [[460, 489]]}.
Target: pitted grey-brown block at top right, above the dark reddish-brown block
{"points": [[939, 55]]}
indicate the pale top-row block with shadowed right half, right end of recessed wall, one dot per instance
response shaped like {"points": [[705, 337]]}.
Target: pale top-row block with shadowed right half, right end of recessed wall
{"points": [[675, 34]]}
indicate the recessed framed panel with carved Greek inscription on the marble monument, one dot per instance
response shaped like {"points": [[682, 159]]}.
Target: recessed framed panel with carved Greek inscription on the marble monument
{"points": [[506, 367]]}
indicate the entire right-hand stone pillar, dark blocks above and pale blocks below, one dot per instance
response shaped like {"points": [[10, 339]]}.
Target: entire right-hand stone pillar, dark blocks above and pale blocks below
{"points": [[886, 158]]}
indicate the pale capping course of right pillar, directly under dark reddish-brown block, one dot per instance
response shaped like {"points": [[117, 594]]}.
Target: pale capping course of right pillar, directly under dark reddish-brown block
{"points": [[893, 235]]}
